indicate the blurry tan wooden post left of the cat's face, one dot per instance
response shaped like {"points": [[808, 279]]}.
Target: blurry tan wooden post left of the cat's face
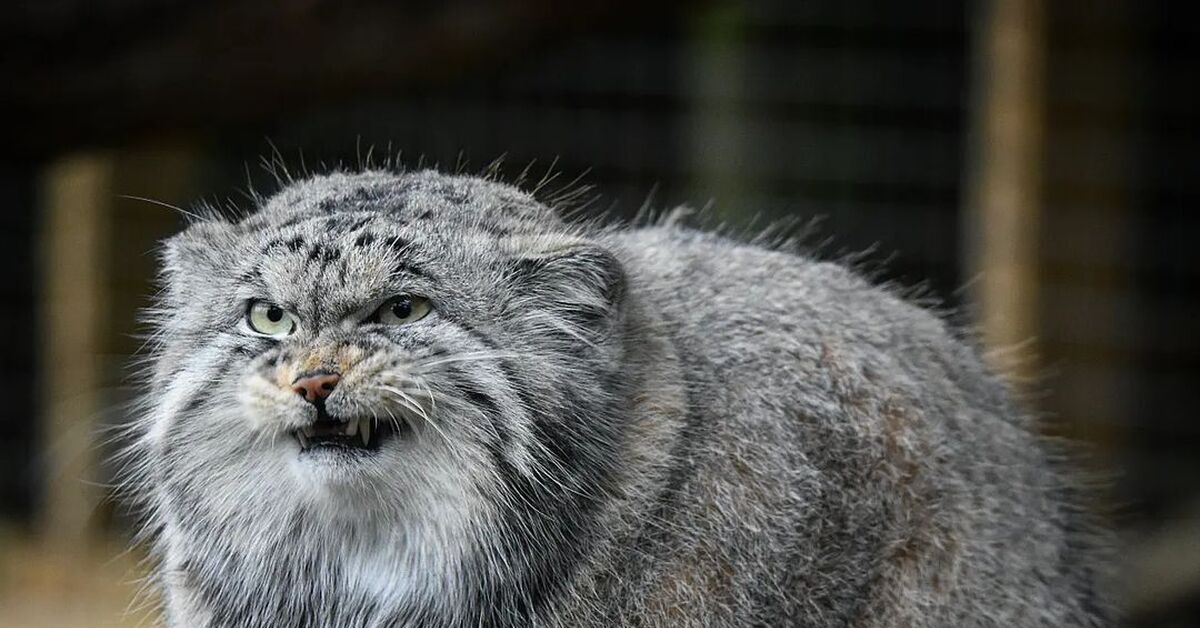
{"points": [[77, 196]]}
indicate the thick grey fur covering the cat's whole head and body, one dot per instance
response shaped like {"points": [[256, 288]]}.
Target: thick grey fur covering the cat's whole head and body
{"points": [[613, 427]]}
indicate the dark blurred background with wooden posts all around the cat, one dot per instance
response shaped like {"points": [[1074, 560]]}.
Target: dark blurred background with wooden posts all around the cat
{"points": [[1033, 164]]}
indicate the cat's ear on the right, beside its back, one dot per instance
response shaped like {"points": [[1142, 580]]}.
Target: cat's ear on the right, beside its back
{"points": [[578, 280]]}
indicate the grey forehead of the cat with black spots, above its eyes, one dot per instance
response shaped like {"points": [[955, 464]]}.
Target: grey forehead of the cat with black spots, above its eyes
{"points": [[334, 242]]}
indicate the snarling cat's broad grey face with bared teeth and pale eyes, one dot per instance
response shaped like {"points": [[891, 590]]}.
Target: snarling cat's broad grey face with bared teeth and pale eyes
{"points": [[382, 354]]}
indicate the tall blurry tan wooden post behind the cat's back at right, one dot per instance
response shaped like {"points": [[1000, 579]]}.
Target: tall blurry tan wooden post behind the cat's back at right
{"points": [[1004, 188]]}
